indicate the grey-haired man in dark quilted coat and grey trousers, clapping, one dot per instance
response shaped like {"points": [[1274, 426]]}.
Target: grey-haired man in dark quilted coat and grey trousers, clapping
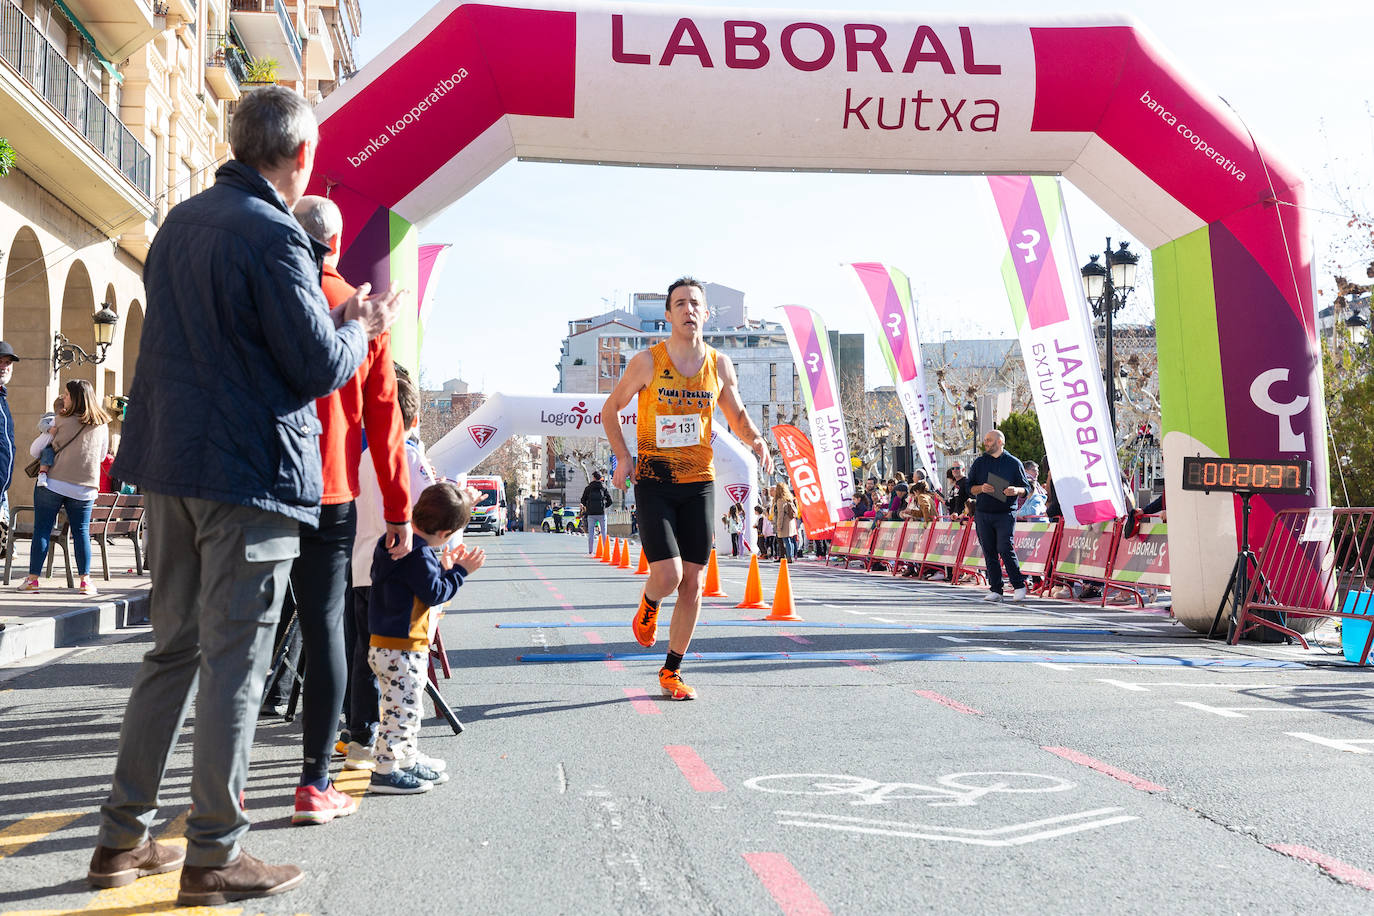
{"points": [[222, 437]]}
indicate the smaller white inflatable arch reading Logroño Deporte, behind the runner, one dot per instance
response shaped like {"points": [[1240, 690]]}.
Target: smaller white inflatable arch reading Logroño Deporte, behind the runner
{"points": [[505, 415]]}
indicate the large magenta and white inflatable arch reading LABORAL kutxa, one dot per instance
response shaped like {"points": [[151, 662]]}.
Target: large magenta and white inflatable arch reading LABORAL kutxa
{"points": [[1094, 100]]}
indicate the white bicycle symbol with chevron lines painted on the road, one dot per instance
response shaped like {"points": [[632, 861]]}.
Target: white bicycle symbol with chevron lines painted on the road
{"points": [[953, 790]]}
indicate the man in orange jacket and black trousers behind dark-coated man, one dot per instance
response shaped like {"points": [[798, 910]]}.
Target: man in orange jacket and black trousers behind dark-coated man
{"points": [[319, 573]]}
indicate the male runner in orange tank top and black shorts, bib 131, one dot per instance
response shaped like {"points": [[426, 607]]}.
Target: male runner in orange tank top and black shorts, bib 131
{"points": [[679, 385]]}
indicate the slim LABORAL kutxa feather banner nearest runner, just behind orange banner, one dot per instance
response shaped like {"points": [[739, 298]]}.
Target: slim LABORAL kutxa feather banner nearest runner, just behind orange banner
{"points": [[811, 352]]}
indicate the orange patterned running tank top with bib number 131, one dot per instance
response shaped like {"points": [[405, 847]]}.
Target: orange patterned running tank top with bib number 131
{"points": [[674, 422]]}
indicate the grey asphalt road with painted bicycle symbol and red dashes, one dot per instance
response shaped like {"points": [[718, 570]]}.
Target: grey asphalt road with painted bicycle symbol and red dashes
{"points": [[903, 749]]}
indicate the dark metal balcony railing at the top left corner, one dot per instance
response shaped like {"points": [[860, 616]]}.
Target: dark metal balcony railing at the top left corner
{"points": [[45, 68]]}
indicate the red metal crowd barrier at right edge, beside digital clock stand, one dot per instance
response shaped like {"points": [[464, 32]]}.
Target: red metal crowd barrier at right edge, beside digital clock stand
{"points": [[1316, 564]]}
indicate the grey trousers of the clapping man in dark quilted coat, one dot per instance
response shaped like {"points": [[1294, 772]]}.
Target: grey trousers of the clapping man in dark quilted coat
{"points": [[219, 577]]}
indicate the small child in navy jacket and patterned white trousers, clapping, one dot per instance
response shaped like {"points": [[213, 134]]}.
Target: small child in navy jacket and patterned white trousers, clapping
{"points": [[405, 595]]}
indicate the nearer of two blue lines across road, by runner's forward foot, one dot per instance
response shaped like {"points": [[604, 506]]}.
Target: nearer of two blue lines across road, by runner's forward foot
{"points": [[1140, 661]]}
